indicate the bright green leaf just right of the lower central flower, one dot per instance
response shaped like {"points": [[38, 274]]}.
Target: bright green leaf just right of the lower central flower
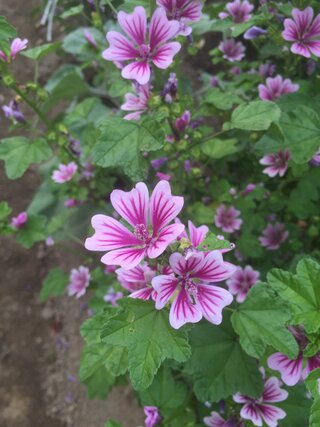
{"points": [[262, 320]]}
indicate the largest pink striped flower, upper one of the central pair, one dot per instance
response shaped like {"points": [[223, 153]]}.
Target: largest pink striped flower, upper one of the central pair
{"points": [[128, 248]]}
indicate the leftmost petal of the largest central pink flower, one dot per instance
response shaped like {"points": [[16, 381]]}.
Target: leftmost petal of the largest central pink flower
{"points": [[109, 234]]}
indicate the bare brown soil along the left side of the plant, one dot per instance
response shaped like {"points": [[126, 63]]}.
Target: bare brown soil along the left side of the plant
{"points": [[40, 344]]}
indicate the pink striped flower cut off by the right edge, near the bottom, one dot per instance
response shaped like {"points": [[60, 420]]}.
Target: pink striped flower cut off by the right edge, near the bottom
{"points": [[291, 370]]}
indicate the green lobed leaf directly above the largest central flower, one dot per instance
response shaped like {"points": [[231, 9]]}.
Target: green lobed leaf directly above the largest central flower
{"points": [[122, 142]]}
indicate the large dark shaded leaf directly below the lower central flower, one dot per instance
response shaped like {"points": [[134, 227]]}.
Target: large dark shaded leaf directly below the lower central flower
{"points": [[219, 366]]}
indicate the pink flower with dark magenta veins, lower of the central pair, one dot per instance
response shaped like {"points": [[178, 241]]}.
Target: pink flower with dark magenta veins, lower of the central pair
{"points": [[193, 299]]}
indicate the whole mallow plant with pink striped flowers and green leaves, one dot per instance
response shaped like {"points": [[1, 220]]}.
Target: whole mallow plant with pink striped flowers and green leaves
{"points": [[179, 141]]}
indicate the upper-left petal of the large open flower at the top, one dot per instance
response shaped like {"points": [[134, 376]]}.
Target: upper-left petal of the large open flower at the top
{"points": [[134, 24]]}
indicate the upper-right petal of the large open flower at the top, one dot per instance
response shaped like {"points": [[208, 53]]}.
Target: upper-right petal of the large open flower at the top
{"points": [[161, 29]]}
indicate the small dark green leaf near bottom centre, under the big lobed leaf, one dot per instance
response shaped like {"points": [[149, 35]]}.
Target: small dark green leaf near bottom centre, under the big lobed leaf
{"points": [[165, 392]]}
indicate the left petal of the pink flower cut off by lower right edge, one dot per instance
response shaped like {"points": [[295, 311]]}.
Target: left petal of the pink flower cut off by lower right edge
{"points": [[290, 370]]}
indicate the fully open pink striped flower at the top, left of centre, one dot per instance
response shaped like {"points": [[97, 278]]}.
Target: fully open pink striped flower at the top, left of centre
{"points": [[143, 49]]}
